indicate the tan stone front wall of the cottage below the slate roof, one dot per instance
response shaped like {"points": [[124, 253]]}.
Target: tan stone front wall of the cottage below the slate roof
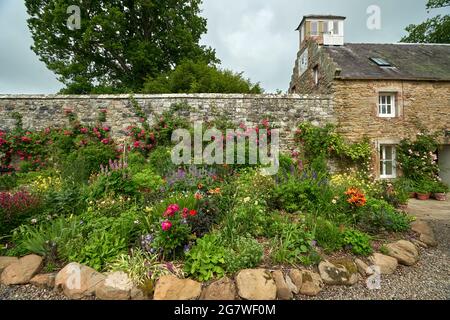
{"points": [[420, 106]]}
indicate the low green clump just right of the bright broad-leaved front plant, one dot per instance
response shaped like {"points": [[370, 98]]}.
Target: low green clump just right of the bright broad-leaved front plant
{"points": [[244, 254]]}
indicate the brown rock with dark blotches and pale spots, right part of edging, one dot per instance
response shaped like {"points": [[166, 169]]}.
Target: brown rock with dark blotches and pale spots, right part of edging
{"points": [[337, 274]]}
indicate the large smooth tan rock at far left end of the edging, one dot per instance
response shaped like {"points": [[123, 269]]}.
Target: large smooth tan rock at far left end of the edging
{"points": [[21, 271]]}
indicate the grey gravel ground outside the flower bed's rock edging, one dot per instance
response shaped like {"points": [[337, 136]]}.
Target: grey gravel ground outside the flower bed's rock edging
{"points": [[428, 280]]}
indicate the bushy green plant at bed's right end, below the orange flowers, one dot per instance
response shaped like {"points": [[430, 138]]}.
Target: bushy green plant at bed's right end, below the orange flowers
{"points": [[378, 215]]}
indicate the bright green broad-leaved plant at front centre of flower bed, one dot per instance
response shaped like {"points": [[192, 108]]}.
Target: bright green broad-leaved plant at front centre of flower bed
{"points": [[206, 259]]}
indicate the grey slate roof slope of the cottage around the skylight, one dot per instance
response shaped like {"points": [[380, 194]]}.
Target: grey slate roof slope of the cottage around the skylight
{"points": [[428, 62]]}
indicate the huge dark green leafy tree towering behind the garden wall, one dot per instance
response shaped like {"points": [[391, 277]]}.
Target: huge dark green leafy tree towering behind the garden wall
{"points": [[120, 42]]}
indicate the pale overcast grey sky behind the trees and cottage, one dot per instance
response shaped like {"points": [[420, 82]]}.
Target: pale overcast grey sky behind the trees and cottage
{"points": [[253, 36]]}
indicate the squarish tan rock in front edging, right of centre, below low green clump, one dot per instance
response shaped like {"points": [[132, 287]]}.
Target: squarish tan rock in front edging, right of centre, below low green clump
{"points": [[256, 284]]}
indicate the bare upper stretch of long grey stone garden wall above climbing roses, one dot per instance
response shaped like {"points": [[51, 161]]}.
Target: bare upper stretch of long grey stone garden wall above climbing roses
{"points": [[285, 111]]}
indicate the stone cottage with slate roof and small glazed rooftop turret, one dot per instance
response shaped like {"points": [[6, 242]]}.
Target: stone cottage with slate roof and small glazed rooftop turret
{"points": [[386, 92]]}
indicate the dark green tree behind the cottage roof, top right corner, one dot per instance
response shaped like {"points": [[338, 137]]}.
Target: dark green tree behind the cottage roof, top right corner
{"points": [[433, 30]]}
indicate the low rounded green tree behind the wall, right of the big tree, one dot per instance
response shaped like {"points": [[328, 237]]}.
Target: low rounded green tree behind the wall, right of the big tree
{"points": [[199, 77]]}
